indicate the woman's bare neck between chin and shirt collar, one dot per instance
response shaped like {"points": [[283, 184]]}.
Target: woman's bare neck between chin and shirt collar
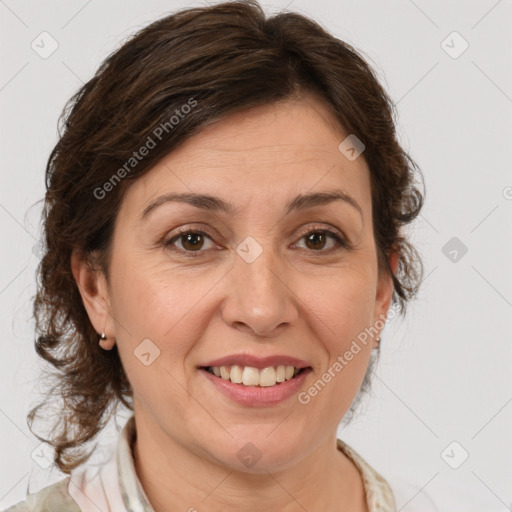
{"points": [[176, 478]]}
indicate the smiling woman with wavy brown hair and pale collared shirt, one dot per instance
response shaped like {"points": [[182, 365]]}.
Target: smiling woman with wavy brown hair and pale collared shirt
{"points": [[223, 244]]}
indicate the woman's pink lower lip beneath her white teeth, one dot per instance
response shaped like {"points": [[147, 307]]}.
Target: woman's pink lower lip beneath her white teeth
{"points": [[257, 396]]}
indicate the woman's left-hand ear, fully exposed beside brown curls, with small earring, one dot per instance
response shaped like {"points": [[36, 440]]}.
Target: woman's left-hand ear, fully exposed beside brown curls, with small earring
{"points": [[93, 288]]}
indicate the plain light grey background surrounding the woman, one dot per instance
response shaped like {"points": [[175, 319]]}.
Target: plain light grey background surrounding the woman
{"points": [[444, 373]]}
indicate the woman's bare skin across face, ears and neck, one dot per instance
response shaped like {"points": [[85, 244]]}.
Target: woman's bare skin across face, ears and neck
{"points": [[308, 300]]}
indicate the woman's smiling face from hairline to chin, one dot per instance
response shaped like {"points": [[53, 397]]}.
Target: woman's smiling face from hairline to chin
{"points": [[249, 280]]}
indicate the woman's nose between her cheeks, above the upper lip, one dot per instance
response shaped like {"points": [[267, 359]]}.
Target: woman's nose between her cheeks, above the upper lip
{"points": [[259, 298]]}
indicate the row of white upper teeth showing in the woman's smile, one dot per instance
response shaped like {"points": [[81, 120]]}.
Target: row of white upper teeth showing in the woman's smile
{"points": [[250, 376]]}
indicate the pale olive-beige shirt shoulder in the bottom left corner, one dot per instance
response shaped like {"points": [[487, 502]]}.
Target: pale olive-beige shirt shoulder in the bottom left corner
{"points": [[53, 498]]}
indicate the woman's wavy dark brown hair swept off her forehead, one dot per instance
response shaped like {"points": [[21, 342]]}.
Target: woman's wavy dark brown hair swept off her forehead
{"points": [[225, 58]]}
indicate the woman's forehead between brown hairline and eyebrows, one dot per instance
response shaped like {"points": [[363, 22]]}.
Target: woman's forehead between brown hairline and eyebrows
{"points": [[267, 153]]}
